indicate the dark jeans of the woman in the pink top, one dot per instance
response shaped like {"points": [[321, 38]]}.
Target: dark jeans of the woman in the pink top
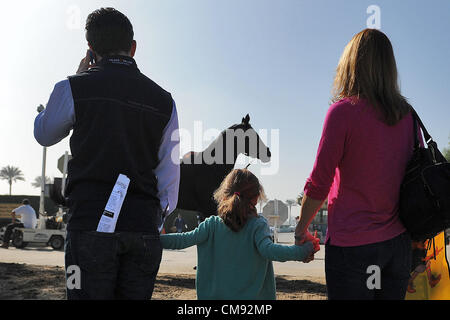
{"points": [[378, 271]]}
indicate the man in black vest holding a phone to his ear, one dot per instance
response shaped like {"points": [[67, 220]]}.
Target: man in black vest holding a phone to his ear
{"points": [[123, 123]]}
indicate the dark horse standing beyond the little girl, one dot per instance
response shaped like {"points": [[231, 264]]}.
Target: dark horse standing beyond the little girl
{"points": [[203, 172]]}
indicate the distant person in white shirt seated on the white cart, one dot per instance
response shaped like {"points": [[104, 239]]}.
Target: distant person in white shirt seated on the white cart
{"points": [[28, 220]]}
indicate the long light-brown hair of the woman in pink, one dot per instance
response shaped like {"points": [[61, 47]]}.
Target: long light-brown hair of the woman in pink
{"points": [[367, 69]]}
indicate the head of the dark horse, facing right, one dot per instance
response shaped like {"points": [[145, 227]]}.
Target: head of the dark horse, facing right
{"points": [[248, 142]]}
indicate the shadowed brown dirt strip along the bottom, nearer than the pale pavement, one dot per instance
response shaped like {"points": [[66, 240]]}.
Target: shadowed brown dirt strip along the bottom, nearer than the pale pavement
{"points": [[21, 281]]}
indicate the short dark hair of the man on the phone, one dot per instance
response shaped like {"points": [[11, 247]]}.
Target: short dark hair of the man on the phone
{"points": [[109, 31]]}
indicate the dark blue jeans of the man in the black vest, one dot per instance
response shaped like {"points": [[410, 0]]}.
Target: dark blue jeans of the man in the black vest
{"points": [[111, 266]]}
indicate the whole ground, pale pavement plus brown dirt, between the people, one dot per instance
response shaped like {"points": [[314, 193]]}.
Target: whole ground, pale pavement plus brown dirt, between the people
{"points": [[36, 272]]}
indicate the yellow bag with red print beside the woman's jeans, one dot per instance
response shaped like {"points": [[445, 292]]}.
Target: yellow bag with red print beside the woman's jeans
{"points": [[430, 279]]}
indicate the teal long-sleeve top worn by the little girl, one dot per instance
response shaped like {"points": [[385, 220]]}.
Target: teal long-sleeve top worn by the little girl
{"points": [[235, 265]]}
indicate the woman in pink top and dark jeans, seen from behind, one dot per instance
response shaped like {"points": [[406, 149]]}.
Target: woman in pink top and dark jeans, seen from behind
{"points": [[366, 143]]}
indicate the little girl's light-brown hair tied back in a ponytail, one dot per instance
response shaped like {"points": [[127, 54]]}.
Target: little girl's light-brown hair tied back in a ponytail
{"points": [[234, 198]]}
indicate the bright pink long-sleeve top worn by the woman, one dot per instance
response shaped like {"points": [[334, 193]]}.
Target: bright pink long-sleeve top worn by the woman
{"points": [[360, 165]]}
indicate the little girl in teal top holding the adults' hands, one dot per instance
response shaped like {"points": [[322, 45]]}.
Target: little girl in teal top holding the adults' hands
{"points": [[235, 251]]}
